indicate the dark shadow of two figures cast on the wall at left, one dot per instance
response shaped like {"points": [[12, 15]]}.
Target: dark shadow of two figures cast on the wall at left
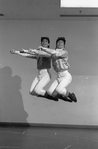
{"points": [[11, 102]]}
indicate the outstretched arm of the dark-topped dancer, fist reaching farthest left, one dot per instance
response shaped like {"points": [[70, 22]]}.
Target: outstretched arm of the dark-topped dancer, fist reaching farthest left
{"points": [[24, 54]]}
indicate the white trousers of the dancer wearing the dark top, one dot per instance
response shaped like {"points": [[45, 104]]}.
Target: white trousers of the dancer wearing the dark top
{"points": [[40, 82]]}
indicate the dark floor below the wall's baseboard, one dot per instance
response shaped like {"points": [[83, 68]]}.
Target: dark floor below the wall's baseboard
{"points": [[47, 138]]}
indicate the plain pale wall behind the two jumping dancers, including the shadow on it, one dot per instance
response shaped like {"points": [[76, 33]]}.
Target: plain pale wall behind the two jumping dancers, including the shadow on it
{"points": [[17, 73]]}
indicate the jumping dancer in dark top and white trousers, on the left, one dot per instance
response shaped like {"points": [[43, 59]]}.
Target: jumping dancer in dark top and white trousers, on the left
{"points": [[43, 66]]}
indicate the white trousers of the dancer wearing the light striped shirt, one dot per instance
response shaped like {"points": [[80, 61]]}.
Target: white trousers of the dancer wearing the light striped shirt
{"points": [[59, 85]]}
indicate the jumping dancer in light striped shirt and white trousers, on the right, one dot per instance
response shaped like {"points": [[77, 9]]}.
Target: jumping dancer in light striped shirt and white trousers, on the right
{"points": [[61, 66]]}
